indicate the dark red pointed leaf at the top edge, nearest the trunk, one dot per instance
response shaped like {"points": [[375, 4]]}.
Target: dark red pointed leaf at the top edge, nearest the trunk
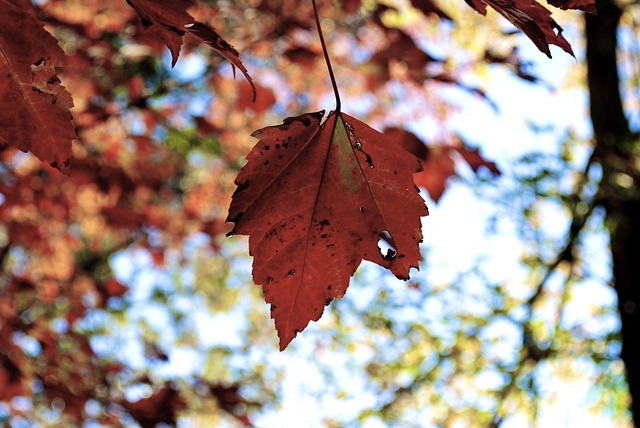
{"points": [[532, 19]]}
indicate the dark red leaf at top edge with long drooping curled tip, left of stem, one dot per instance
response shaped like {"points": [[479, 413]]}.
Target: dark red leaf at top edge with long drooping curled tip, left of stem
{"points": [[169, 21]]}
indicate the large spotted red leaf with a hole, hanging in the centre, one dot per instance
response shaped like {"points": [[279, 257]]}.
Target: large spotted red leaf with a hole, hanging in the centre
{"points": [[315, 200]]}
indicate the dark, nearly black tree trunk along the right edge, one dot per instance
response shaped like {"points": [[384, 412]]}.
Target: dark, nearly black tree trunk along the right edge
{"points": [[620, 183]]}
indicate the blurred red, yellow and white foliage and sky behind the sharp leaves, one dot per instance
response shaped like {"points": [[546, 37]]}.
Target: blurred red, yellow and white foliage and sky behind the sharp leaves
{"points": [[123, 303]]}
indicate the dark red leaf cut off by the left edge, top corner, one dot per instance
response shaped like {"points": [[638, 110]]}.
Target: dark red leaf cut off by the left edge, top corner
{"points": [[34, 106]]}
